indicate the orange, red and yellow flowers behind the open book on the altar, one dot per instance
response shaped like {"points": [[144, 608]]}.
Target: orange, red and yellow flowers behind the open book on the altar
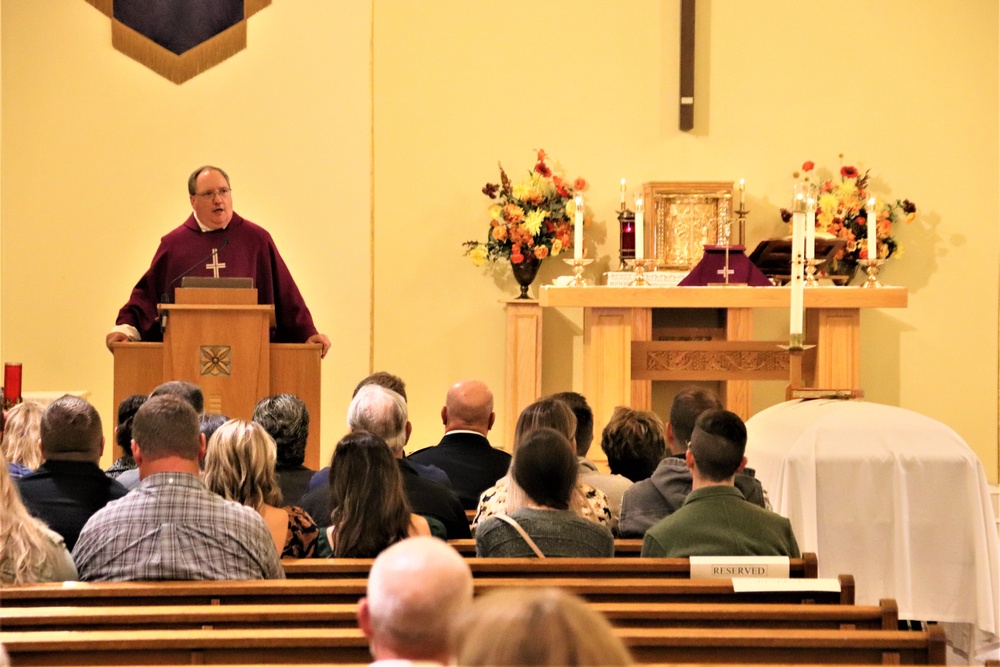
{"points": [[842, 213]]}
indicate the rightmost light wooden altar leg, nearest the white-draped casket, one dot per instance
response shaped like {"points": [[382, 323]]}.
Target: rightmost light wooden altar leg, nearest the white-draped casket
{"points": [[838, 348]]}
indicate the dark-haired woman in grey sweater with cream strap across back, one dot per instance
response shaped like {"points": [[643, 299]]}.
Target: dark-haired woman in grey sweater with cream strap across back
{"points": [[545, 469]]}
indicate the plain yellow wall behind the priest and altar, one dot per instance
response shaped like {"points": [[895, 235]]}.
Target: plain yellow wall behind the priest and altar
{"points": [[95, 149]]}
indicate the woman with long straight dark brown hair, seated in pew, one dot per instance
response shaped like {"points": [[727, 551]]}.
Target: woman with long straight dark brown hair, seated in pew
{"points": [[370, 509]]}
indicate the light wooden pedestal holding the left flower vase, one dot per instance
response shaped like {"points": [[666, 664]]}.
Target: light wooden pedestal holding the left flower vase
{"points": [[523, 371]]}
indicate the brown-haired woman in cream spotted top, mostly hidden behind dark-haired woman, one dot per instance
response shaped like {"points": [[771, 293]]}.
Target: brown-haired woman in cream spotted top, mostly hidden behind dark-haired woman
{"points": [[506, 497]]}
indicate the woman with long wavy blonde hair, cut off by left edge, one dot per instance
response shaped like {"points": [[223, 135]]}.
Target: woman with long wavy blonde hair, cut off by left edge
{"points": [[31, 552]]}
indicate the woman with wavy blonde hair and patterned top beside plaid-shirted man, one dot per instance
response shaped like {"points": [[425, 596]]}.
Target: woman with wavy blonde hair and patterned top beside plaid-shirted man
{"points": [[239, 465]]}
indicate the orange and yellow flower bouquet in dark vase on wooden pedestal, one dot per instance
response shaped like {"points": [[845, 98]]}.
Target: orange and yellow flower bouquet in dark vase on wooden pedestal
{"points": [[529, 219]]}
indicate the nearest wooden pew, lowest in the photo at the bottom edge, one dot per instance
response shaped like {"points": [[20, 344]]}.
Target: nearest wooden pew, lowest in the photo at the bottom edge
{"points": [[339, 646]]}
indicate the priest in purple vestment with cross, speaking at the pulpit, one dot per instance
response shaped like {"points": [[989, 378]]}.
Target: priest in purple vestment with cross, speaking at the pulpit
{"points": [[216, 242]]}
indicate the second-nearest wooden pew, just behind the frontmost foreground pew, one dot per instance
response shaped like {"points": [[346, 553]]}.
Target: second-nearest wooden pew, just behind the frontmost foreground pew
{"points": [[621, 614]]}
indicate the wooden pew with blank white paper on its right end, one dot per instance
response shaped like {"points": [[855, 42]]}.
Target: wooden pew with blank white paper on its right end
{"points": [[327, 591]]}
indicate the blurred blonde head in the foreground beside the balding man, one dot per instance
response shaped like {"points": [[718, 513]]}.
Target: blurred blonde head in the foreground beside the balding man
{"points": [[543, 626]]}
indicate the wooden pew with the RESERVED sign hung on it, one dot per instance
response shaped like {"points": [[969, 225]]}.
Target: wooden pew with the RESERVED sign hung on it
{"points": [[625, 566]]}
